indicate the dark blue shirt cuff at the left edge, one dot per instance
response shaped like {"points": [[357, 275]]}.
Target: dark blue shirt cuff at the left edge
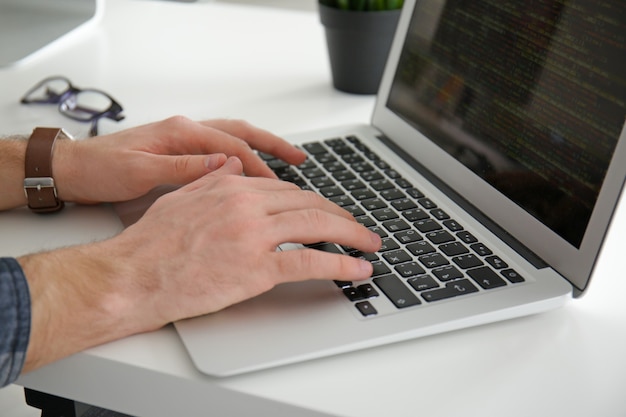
{"points": [[14, 320]]}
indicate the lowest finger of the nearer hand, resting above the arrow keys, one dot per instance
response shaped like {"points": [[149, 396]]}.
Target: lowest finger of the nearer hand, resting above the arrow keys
{"points": [[304, 264]]}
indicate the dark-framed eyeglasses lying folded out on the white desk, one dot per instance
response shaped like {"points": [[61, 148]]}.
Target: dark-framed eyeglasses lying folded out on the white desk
{"points": [[83, 105]]}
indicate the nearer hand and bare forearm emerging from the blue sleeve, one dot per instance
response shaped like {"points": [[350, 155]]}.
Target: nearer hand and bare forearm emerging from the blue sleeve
{"points": [[201, 248]]}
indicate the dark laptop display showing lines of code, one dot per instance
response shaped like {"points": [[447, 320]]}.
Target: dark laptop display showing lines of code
{"points": [[530, 97]]}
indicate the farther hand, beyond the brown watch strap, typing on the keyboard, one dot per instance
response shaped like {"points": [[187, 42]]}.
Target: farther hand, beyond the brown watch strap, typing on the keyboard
{"points": [[128, 164]]}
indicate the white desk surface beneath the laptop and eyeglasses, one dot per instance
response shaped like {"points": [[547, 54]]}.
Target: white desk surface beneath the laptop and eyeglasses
{"points": [[269, 66]]}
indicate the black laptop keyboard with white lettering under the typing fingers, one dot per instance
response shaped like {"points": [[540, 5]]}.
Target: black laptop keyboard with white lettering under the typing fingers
{"points": [[426, 256]]}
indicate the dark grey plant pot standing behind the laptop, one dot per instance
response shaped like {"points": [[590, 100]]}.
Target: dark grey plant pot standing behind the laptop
{"points": [[358, 35]]}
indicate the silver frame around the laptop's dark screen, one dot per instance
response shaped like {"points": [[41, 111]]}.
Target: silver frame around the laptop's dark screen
{"points": [[575, 264]]}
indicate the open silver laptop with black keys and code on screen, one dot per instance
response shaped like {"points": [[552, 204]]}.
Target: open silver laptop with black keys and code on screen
{"points": [[494, 161]]}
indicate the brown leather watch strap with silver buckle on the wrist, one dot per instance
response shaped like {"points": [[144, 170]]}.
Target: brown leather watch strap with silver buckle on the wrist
{"points": [[39, 184]]}
